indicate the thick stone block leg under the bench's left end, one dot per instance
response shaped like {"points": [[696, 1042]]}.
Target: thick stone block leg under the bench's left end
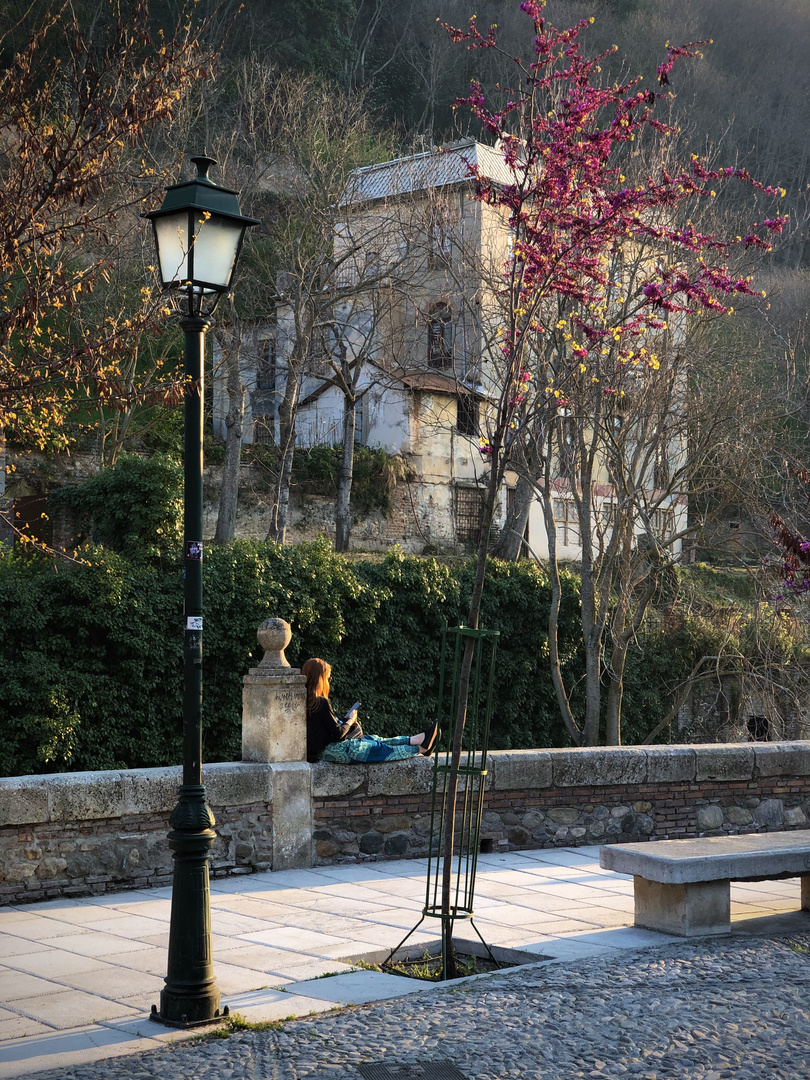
{"points": [[700, 908]]}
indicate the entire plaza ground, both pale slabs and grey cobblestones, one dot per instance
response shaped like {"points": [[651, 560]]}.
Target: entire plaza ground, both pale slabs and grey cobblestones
{"points": [[78, 978]]}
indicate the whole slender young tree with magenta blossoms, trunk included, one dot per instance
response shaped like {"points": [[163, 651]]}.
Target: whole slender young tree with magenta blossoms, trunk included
{"points": [[600, 267]]}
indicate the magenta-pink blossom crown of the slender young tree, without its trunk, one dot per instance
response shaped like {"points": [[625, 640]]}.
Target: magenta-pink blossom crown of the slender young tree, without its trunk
{"points": [[572, 213]]}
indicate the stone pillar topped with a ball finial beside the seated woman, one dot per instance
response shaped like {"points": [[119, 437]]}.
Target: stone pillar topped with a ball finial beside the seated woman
{"points": [[275, 732]]}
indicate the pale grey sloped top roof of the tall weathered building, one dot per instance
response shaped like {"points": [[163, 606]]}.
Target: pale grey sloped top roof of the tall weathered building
{"points": [[436, 169]]}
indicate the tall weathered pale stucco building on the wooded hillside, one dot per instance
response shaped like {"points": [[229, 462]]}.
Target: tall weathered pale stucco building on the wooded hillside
{"points": [[417, 259]]}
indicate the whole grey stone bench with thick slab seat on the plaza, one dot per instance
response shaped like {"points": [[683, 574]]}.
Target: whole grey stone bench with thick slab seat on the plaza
{"points": [[683, 887]]}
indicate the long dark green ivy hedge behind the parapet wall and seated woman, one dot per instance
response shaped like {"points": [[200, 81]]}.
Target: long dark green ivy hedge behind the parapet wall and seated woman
{"points": [[91, 661]]}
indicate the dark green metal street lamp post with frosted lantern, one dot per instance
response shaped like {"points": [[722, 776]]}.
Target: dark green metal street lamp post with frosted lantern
{"points": [[199, 233]]}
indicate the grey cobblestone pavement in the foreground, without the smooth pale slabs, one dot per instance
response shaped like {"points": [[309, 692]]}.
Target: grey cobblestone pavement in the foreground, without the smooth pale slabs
{"points": [[735, 1007]]}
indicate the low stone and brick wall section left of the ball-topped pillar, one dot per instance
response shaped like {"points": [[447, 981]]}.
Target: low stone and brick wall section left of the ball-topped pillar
{"points": [[90, 833]]}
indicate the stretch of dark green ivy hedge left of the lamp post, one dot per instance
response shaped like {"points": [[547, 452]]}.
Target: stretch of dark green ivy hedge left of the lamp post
{"points": [[89, 665]]}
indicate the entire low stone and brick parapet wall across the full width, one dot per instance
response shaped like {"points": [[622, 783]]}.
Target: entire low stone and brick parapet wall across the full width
{"points": [[74, 834]]}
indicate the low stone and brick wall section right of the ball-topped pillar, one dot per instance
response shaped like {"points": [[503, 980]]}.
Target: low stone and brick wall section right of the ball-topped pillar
{"points": [[537, 799]]}
